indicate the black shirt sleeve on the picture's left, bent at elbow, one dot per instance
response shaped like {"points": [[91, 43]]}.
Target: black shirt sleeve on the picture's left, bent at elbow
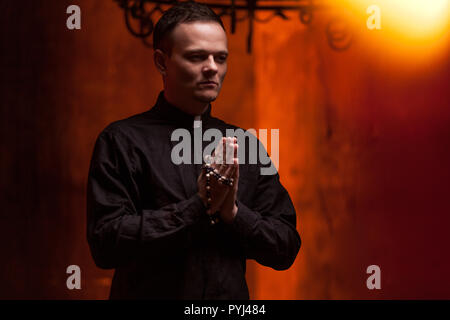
{"points": [[117, 229]]}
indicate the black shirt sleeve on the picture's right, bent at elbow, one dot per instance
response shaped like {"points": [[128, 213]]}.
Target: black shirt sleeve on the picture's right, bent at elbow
{"points": [[267, 231]]}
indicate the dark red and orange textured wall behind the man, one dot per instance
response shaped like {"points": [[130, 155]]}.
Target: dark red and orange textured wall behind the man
{"points": [[364, 149]]}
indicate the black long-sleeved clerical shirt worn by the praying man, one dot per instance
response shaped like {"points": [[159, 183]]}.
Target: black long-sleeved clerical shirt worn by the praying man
{"points": [[146, 220]]}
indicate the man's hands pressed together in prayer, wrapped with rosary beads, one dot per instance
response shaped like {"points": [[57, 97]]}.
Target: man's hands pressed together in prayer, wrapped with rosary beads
{"points": [[223, 197]]}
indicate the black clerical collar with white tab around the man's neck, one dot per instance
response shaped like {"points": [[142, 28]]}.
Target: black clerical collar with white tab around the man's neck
{"points": [[165, 110]]}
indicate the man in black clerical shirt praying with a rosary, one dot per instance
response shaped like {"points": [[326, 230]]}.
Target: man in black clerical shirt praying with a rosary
{"points": [[183, 231]]}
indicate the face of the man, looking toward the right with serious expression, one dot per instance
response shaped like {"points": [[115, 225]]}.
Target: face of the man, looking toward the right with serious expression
{"points": [[197, 64]]}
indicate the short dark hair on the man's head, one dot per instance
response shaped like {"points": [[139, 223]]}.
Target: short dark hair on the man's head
{"points": [[181, 12]]}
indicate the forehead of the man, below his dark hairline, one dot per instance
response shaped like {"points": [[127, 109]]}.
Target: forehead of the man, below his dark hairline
{"points": [[199, 35]]}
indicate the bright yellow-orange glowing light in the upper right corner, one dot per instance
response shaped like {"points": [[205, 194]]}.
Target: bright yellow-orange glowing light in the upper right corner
{"points": [[412, 31]]}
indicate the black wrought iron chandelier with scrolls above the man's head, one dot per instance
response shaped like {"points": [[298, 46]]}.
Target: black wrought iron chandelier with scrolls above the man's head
{"points": [[140, 16]]}
